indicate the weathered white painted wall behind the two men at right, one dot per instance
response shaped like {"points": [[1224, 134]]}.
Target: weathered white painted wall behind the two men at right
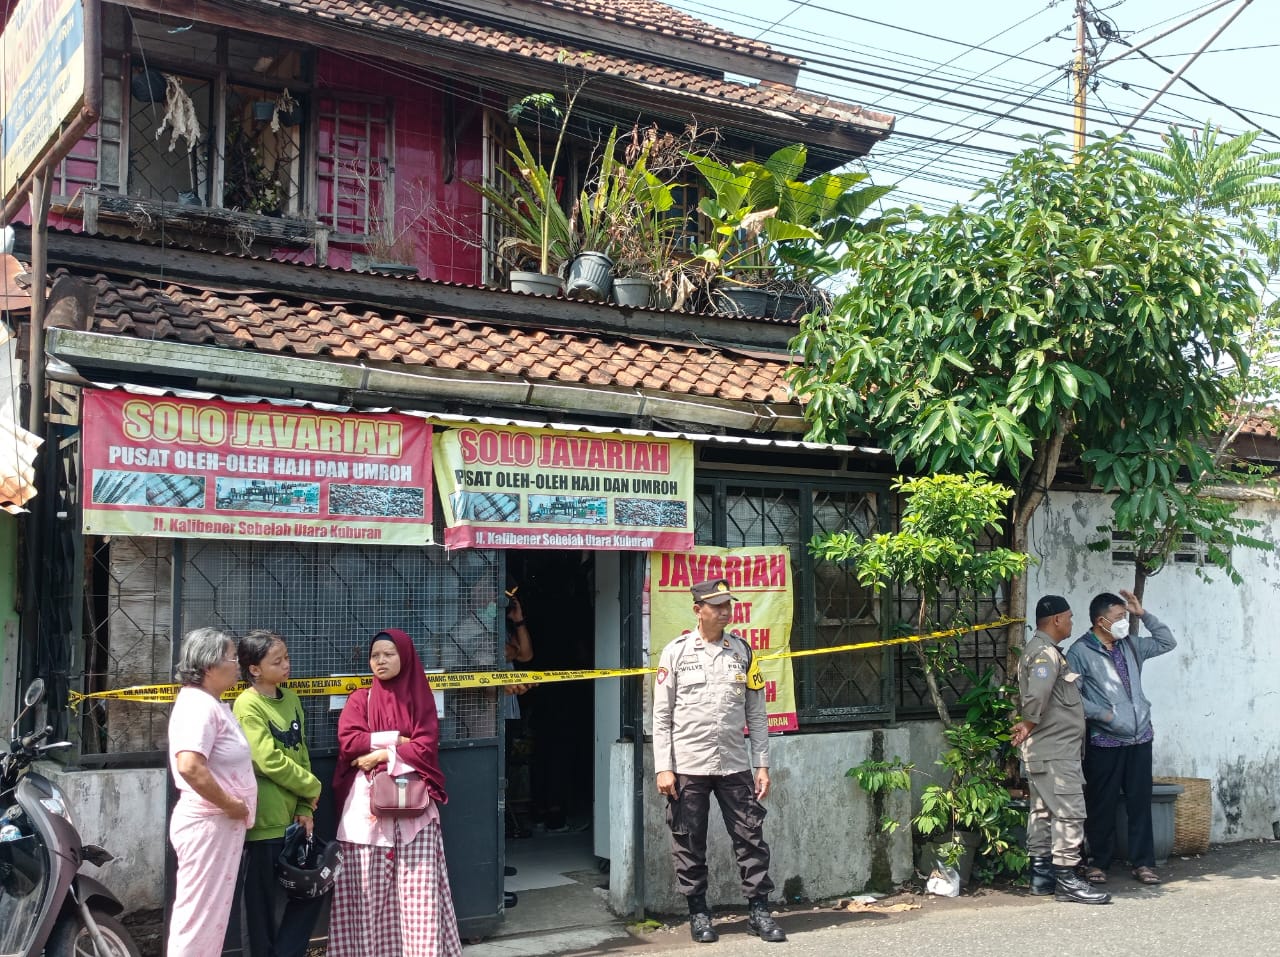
{"points": [[1217, 697]]}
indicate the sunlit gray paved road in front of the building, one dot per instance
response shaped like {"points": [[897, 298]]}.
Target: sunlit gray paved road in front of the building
{"points": [[1226, 904]]}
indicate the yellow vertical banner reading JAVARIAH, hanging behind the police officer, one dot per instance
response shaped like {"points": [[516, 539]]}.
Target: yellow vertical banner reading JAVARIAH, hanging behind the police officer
{"points": [[761, 579]]}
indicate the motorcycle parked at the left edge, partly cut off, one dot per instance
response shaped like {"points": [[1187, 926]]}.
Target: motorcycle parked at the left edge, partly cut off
{"points": [[47, 905]]}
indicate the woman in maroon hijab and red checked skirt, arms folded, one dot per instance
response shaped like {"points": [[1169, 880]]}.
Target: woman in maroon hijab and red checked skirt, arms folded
{"points": [[392, 896]]}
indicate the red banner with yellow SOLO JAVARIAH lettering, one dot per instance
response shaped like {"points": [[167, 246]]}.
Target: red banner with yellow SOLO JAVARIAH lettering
{"points": [[204, 469]]}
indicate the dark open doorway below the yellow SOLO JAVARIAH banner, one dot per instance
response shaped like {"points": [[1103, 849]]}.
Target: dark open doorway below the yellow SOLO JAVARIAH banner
{"points": [[551, 761]]}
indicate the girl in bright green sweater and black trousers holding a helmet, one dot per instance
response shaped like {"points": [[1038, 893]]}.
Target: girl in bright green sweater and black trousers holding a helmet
{"points": [[287, 794]]}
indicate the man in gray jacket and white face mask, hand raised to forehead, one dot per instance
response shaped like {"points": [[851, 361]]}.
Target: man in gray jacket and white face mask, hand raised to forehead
{"points": [[1118, 752]]}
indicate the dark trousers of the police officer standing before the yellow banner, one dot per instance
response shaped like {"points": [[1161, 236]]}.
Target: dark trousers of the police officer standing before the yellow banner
{"points": [[744, 821]]}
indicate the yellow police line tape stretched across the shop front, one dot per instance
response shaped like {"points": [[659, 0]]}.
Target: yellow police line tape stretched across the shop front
{"points": [[456, 681]]}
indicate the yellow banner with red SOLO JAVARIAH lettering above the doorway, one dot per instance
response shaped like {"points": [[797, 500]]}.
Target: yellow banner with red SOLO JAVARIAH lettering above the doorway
{"points": [[508, 488]]}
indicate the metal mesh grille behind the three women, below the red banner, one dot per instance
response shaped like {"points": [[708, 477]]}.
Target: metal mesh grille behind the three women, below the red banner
{"points": [[330, 601]]}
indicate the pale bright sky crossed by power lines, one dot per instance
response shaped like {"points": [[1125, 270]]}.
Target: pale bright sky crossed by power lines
{"points": [[967, 79]]}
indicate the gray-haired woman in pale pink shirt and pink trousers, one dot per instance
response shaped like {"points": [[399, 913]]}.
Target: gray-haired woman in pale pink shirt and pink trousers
{"points": [[217, 794]]}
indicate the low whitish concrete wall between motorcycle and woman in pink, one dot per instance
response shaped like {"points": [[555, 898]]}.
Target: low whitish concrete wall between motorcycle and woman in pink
{"points": [[124, 812]]}
